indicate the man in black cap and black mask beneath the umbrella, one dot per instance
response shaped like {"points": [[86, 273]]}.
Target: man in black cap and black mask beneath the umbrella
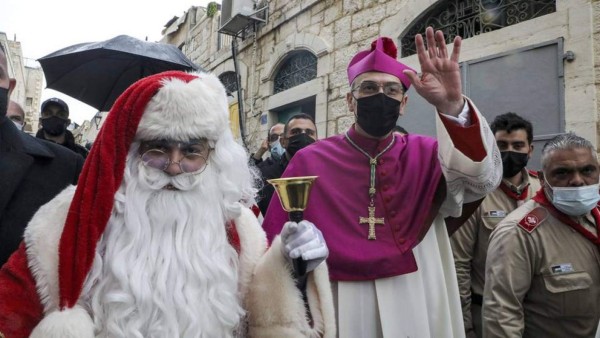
{"points": [[54, 120]]}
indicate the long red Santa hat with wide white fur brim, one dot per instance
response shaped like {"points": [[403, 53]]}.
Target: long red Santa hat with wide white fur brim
{"points": [[170, 105]]}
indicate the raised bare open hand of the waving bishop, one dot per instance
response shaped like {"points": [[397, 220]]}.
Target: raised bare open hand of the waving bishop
{"points": [[439, 83]]}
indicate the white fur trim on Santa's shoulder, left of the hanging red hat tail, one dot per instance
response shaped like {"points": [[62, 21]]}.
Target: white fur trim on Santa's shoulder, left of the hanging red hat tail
{"points": [[42, 237]]}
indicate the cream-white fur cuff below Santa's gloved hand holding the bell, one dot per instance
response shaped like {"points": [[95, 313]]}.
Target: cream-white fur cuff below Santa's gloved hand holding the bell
{"points": [[275, 305]]}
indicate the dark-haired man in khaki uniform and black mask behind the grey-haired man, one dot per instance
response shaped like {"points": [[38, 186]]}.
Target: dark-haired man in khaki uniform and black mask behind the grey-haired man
{"points": [[514, 136]]}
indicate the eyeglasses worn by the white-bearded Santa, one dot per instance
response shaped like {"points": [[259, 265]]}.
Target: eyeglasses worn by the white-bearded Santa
{"points": [[157, 154]]}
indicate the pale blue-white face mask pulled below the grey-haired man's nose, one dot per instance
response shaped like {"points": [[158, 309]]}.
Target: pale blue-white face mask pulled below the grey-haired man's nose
{"points": [[575, 201]]}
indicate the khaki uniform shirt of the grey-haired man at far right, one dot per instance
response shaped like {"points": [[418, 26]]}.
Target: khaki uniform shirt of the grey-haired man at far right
{"points": [[540, 282]]}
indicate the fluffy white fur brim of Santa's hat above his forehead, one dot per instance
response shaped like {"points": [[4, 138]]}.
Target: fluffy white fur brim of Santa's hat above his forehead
{"points": [[182, 111]]}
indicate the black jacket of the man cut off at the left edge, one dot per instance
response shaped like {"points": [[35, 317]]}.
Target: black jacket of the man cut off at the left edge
{"points": [[32, 172]]}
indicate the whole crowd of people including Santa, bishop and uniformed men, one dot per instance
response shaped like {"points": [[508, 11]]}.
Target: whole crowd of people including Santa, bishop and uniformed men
{"points": [[170, 229]]}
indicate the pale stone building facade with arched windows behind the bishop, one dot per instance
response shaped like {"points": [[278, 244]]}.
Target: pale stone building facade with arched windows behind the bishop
{"points": [[543, 65]]}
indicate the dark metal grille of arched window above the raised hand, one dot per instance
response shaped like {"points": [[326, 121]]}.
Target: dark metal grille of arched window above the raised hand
{"points": [[467, 18]]}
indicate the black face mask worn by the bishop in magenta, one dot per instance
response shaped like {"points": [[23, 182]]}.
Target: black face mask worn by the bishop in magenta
{"points": [[377, 114]]}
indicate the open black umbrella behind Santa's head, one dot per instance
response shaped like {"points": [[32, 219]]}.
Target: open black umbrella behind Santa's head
{"points": [[96, 73]]}
